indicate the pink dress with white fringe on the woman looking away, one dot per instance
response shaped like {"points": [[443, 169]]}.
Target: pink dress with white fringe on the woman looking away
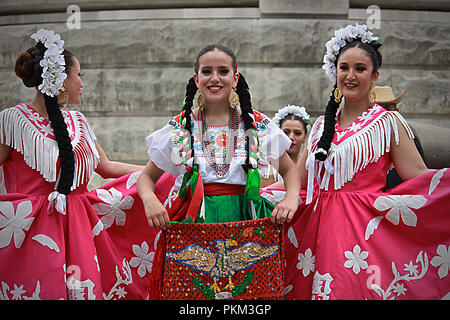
{"points": [[97, 246]]}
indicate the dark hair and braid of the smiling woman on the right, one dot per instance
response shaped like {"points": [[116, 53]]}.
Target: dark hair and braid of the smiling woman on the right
{"points": [[375, 56]]}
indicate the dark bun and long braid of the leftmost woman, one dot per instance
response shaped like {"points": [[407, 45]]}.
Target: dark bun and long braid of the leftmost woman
{"points": [[28, 69]]}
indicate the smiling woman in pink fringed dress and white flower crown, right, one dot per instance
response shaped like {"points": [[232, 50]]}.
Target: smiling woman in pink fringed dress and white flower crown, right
{"points": [[351, 240]]}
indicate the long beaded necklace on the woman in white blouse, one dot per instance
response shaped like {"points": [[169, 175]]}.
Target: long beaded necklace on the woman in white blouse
{"points": [[207, 146]]}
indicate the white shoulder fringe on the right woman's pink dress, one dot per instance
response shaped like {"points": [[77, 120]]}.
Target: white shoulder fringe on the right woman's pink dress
{"points": [[361, 149]]}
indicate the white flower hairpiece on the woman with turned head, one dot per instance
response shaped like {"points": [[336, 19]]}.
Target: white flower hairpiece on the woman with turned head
{"points": [[52, 63]]}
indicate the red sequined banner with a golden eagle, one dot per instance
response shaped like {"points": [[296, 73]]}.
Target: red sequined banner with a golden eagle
{"points": [[234, 260]]}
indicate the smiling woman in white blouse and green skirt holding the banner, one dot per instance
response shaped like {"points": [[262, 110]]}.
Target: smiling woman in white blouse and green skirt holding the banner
{"points": [[223, 144]]}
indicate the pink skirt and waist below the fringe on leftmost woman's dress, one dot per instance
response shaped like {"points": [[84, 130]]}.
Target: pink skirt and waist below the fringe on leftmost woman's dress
{"points": [[102, 248]]}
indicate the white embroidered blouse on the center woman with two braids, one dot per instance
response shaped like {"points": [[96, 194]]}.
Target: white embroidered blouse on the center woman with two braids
{"points": [[163, 149]]}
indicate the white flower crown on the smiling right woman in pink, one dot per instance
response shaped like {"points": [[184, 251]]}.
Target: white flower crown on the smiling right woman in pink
{"points": [[341, 38]]}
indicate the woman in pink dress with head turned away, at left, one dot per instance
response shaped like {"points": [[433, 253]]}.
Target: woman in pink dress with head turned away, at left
{"points": [[57, 239]]}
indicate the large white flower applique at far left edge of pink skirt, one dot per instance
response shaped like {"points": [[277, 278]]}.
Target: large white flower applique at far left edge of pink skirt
{"points": [[14, 223]]}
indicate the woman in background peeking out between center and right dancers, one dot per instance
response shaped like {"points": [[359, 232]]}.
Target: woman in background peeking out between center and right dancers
{"points": [[294, 121]]}
